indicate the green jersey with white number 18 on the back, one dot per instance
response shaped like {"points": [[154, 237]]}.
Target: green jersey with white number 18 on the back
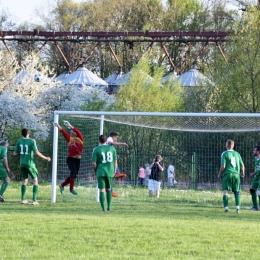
{"points": [[104, 156]]}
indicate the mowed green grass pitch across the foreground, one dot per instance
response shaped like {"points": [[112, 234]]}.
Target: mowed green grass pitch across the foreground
{"points": [[182, 224]]}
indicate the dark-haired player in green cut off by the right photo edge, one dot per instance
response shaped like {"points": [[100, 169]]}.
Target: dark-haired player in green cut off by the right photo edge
{"points": [[255, 186]]}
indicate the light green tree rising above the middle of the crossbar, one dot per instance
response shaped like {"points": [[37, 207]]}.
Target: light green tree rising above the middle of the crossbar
{"points": [[143, 93]]}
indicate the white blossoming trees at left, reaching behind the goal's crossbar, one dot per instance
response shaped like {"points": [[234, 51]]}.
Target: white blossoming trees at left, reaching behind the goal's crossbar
{"points": [[27, 103]]}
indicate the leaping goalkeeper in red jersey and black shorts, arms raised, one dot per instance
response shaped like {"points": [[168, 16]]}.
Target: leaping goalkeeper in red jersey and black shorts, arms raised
{"points": [[75, 142]]}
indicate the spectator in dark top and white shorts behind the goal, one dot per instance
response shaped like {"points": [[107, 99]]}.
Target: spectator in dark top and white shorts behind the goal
{"points": [[155, 178]]}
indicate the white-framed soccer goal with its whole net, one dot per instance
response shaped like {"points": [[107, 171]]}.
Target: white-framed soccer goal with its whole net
{"points": [[192, 141]]}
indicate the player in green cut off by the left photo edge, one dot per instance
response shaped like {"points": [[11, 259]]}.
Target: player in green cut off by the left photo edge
{"points": [[4, 169]]}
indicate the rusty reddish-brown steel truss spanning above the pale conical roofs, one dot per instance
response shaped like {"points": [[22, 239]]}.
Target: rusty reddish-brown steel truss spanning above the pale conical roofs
{"points": [[27, 39]]}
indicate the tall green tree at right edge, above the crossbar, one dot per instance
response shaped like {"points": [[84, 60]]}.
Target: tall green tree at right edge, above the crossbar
{"points": [[237, 89]]}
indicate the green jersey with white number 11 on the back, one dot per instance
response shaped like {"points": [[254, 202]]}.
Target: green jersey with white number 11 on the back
{"points": [[26, 147]]}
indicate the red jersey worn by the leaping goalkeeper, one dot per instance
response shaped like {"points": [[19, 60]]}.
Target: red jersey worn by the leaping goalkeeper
{"points": [[75, 143]]}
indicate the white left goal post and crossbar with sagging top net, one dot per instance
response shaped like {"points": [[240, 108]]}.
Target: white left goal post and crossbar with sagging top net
{"points": [[190, 122]]}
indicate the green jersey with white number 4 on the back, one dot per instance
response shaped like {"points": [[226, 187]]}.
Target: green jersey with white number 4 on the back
{"points": [[232, 161]]}
